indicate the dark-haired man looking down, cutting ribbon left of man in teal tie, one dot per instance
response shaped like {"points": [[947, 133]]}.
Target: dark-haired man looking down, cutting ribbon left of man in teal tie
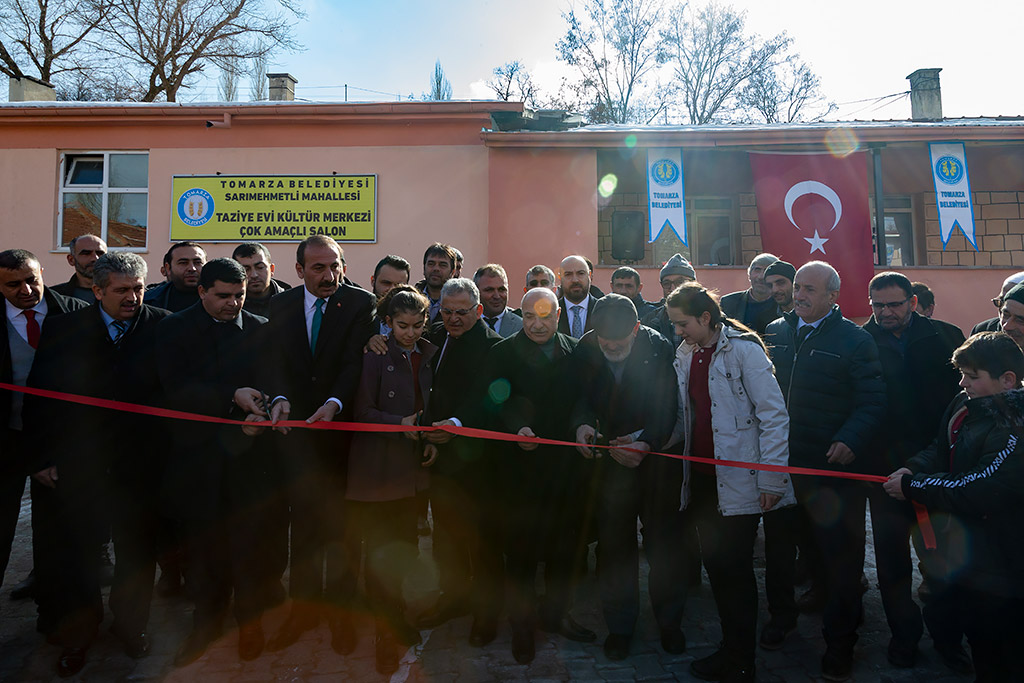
{"points": [[218, 486]]}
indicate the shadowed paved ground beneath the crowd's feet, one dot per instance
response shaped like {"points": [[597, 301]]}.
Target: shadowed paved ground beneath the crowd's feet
{"points": [[445, 655]]}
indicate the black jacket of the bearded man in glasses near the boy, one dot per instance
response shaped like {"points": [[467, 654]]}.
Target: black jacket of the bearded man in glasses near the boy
{"points": [[920, 385]]}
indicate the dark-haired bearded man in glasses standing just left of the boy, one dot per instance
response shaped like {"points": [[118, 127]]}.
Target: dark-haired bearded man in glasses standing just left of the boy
{"points": [[915, 353]]}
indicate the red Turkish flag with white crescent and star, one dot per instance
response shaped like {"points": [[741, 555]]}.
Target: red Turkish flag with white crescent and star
{"points": [[815, 208]]}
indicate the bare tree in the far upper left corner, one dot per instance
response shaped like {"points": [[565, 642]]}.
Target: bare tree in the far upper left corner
{"points": [[47, 34]]}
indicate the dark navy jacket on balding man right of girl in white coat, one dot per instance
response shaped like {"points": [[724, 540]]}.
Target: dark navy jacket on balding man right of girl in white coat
{"points": [[833, 389]]}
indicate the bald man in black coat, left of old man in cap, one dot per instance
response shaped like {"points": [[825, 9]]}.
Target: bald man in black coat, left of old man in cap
{"points": [[542, 485]]}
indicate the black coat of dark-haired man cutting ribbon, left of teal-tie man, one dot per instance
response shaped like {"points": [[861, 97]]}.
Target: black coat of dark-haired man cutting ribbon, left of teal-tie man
{"points": [[218, 357]]}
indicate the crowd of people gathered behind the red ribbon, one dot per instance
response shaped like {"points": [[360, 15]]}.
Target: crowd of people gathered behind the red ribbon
{"points": [[687, 415]]}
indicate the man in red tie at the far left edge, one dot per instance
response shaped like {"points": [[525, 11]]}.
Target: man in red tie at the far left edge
{"points": [[29, 306]]}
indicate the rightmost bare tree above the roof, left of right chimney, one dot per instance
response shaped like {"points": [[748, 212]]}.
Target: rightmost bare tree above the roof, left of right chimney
{"points": [[786, 94]]}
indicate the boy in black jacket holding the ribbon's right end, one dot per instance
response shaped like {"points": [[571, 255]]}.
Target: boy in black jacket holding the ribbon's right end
{"points": [[972, 481]]}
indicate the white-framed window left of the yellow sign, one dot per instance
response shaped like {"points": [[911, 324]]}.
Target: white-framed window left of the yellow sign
{"points": [[106, 194]]}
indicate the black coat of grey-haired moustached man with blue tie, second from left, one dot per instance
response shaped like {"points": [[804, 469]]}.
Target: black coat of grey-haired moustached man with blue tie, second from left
{"points": [[77, 356]]}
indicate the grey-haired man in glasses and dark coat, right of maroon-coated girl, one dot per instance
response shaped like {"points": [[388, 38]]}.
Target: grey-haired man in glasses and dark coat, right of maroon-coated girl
{"points": [[463, 487]]}
